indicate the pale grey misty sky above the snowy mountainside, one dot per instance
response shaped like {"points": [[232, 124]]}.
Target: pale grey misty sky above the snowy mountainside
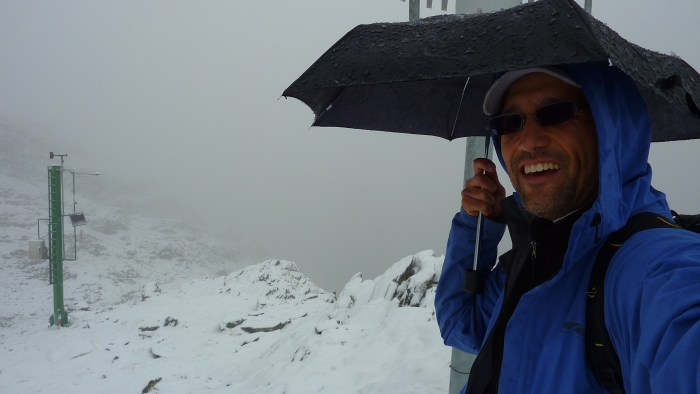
{"points": [[184, 97]]}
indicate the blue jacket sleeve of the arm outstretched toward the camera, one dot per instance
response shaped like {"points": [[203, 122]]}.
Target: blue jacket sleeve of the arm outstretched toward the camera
{"points": [[656, 331]]}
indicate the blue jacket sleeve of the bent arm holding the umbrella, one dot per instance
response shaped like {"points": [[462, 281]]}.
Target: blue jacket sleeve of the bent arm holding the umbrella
{"points": [[454, 307]]}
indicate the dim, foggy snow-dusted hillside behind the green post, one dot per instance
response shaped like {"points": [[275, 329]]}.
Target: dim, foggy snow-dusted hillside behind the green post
{"points": [[118, 251]]}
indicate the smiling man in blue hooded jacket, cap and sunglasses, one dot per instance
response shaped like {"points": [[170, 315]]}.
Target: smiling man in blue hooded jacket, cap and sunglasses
{"points": [[575, 142]]}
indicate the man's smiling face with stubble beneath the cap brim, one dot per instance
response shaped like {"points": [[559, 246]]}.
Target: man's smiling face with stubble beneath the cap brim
{"points": [[570, 146]]}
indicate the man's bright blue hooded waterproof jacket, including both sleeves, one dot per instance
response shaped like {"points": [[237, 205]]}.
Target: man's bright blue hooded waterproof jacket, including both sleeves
{"points": [[652, 300]]}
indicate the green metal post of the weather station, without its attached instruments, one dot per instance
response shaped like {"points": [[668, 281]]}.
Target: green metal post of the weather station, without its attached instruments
{"points": [[59, 316]]}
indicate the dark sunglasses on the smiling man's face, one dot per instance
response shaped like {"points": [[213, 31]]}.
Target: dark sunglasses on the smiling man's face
{"points": [[548, 115]]}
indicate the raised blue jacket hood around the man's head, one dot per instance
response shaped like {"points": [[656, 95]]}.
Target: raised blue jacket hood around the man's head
{"points": [[623, 128]]}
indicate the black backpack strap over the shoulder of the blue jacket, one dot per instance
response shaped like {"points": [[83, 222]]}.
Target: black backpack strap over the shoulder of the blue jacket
{"points": [[599, 348]]}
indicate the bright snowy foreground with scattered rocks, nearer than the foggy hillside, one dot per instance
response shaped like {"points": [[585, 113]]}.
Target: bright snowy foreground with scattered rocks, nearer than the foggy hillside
{"points": [[263, 329]]}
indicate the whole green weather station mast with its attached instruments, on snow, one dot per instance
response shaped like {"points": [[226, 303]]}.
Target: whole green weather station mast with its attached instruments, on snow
{"points": [[56, 250]]}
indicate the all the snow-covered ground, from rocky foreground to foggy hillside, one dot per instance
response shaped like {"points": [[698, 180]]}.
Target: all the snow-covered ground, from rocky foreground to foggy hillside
{"points": [[158, 301]]}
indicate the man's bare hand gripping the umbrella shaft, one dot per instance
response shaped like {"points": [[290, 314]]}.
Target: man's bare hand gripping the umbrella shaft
{"points": [[483, 193]]}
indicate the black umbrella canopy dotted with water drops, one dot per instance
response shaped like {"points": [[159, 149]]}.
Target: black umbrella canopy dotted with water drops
{"points": [[430, 76]]}
